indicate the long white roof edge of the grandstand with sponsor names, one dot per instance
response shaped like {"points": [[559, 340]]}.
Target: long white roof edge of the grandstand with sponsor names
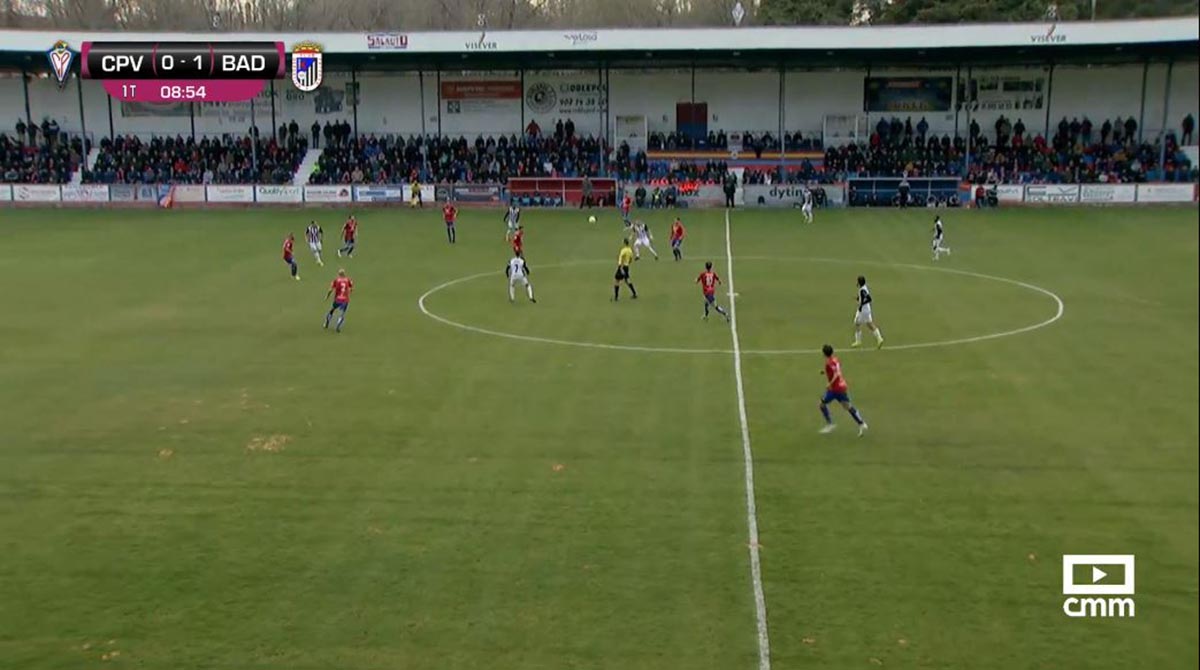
{"points": [[817, 47]]}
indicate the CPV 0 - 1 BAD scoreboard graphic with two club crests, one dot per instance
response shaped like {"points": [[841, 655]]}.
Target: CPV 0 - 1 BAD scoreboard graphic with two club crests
{"points": [[188, 71]]}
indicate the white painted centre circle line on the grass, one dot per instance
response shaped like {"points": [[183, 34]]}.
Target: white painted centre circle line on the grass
{"points": [[1045, 292]]}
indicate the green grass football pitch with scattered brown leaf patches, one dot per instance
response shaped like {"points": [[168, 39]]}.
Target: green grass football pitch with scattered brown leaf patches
{"points": [[196, 475]]}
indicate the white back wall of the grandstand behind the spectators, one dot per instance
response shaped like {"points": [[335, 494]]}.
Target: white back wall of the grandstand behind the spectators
{"points": [[737, 101]]}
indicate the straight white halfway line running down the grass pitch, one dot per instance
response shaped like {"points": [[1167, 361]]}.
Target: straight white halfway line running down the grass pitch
{"points": [[760, 600]]}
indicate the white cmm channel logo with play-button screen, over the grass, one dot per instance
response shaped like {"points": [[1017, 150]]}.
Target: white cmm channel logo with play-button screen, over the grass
{"points": [[1096, 575]]}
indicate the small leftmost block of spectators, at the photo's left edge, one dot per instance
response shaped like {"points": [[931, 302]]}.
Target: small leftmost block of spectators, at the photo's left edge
{"points": [[40, 154]]}
